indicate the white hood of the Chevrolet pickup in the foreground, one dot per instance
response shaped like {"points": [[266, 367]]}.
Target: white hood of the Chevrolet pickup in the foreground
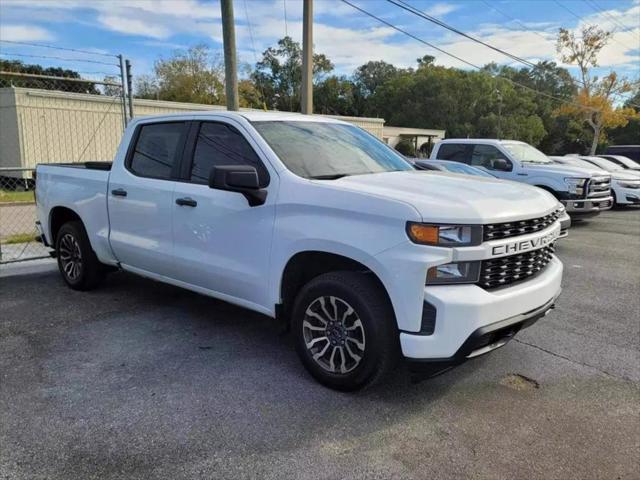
{"points": [[442, 197]]}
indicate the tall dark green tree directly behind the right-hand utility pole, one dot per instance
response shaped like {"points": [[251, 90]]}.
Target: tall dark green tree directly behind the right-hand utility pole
{"points": [[278, 75]]}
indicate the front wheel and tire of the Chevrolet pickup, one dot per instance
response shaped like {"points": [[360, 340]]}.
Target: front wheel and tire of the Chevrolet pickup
{"points": [[344, 329]]}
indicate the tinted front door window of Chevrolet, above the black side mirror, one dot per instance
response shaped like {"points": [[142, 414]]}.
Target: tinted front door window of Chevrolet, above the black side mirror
{"points": [[221, 144]]}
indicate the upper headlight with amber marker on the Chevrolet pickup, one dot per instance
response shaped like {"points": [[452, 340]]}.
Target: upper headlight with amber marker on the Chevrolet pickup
{"points": [[444, 235]]}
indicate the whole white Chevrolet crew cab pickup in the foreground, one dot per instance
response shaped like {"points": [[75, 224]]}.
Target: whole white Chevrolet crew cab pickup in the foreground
{"points": [[313, 221]]}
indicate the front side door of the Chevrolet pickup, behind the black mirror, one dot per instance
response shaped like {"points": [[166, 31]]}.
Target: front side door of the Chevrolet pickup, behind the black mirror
{"points": [[222, 244]]}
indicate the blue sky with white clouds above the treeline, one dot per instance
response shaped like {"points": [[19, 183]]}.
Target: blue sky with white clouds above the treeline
{"points": [[146, 30]]}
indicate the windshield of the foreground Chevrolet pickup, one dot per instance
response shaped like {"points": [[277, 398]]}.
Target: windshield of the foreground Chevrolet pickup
{"points": [[328, 151]]}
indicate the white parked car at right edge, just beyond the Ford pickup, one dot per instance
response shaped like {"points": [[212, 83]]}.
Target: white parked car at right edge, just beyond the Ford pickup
{"points": [[625, 184]]}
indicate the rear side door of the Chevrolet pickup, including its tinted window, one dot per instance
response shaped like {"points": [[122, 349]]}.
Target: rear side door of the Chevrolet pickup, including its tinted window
{"points": [[141, 198]]}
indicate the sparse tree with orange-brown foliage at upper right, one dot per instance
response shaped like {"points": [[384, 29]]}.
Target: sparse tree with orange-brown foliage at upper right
{"points": [[593, 103]]}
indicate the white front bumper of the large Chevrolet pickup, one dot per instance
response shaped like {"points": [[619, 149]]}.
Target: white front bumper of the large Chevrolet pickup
{"points": [[463, 310]]}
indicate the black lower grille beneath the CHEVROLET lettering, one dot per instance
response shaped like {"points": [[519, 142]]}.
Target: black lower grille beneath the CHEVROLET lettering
{"points": [[499, 272]]}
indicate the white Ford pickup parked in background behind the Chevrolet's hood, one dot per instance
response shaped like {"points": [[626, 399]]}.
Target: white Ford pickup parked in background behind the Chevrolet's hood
{"points": [[584, 191]]}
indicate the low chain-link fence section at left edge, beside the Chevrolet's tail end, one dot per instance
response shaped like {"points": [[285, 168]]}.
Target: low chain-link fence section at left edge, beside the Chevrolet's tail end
{"points": [[18, 217]]}
